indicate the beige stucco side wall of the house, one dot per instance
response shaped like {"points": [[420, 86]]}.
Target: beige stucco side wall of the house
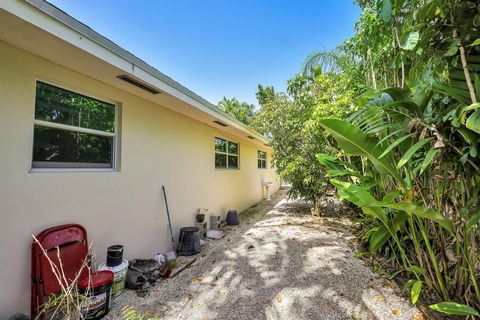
{"points": [[158, 146]]}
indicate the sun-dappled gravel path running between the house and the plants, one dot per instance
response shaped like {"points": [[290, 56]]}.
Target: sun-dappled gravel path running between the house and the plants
{"points": [[280, 263]]}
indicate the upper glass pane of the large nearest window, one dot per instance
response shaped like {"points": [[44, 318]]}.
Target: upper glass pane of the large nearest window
{"points": [[66, 107]]}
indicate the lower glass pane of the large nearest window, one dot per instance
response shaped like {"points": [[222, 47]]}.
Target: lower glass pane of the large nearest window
{"points": [[75, 148]]}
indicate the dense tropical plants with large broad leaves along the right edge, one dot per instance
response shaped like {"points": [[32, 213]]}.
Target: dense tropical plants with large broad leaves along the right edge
{"points": [[408, 157]]}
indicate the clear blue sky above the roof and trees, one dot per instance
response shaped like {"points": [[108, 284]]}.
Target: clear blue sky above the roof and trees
{"points": [[221, 47]]}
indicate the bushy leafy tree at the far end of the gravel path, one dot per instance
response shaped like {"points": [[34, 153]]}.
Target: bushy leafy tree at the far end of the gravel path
{"points": [[290, 120]]}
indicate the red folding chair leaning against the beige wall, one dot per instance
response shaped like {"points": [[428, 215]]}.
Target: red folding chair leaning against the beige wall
{"points": [[71, 241]]}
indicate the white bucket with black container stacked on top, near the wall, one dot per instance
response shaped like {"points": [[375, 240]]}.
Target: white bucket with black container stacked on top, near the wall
{"points": [[118, 266]]}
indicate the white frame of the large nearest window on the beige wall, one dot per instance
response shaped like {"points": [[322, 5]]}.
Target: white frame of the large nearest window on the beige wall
{"points": [[73, 166]]}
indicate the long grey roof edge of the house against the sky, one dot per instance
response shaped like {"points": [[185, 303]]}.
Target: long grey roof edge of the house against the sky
{"points": [[91, 34]]}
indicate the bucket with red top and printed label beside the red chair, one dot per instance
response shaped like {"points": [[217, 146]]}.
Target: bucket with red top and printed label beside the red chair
{"points": [[98, 286]]}
